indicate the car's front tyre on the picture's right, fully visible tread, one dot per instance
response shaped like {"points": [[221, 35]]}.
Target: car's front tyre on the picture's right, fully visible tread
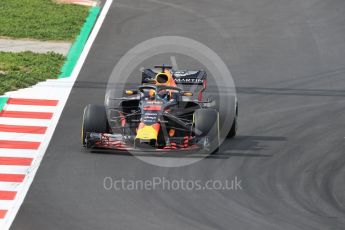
{"points": [[206, 125]]}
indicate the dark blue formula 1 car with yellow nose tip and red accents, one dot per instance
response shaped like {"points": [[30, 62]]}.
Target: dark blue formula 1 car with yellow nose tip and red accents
{"points": [[156, 116]]}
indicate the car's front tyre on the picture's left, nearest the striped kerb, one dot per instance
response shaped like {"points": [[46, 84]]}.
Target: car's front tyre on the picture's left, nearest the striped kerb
{"points": [[94, 121]]}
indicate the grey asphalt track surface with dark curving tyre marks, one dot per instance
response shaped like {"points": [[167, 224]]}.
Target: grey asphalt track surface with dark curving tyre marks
{"points": [[288, 62]]}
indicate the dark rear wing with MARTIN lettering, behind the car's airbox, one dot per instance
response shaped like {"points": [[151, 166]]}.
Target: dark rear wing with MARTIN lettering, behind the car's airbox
{"points": [[181, 77]]}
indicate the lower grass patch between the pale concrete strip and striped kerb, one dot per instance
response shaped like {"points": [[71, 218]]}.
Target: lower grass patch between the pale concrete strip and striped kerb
{"points": [[20, 70]]}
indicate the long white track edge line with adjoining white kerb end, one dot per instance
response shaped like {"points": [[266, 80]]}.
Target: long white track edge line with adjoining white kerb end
{"points": [[61, 93]]}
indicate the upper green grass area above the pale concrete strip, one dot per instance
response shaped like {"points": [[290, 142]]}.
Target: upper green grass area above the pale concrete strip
{"points": [[41, 19]]}
